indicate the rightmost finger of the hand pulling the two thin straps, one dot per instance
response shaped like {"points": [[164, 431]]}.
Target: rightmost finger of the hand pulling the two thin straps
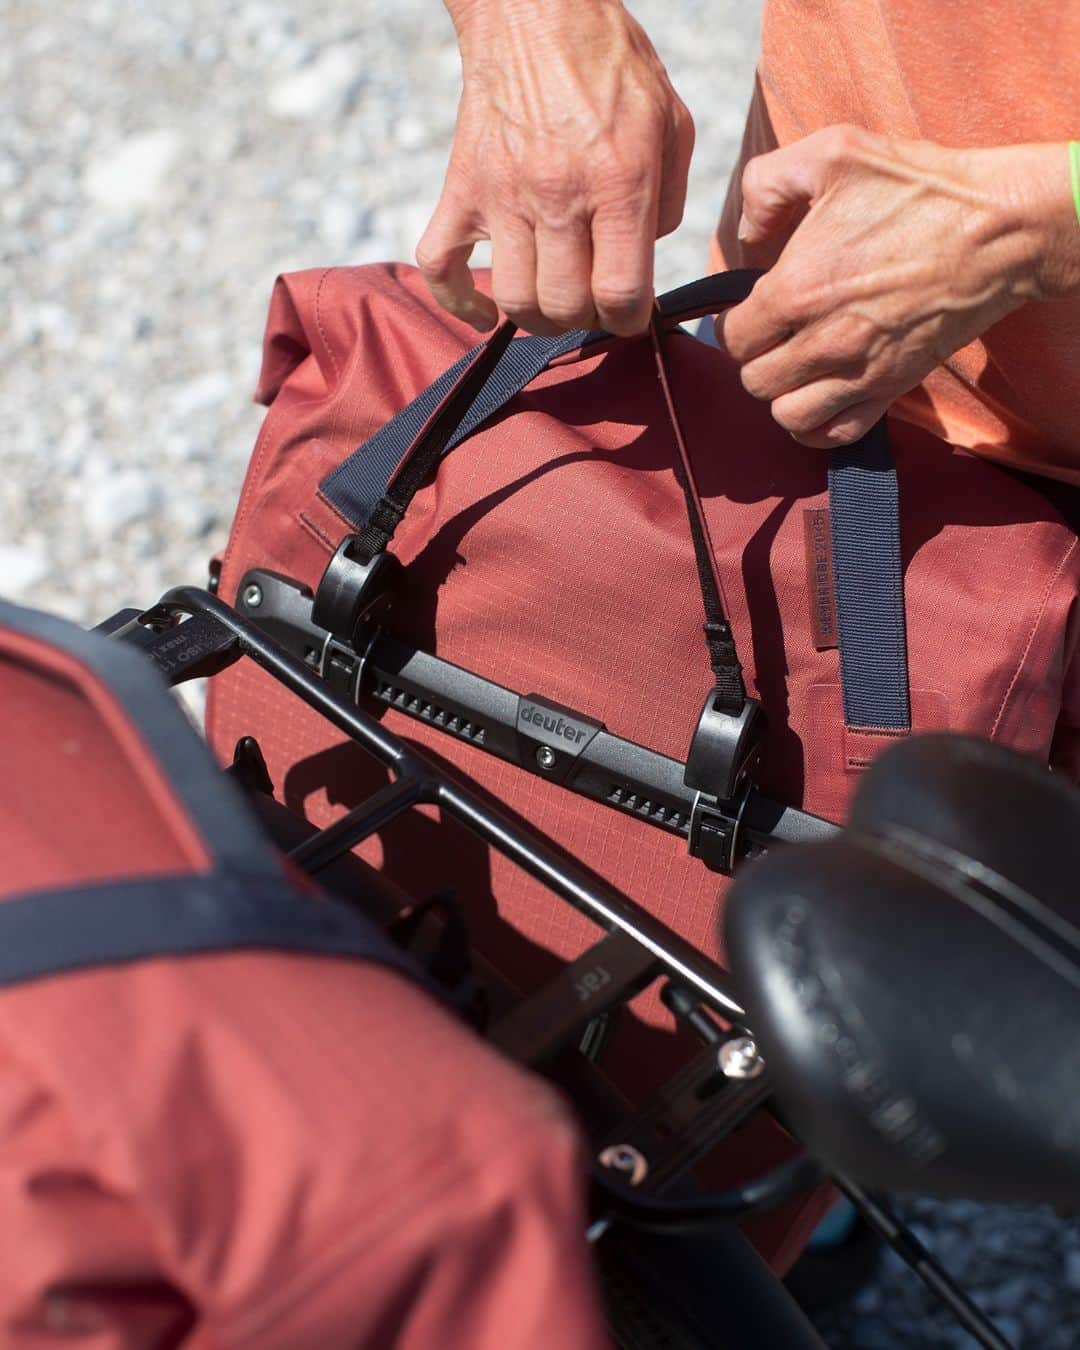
{"points": [[624, 241]]}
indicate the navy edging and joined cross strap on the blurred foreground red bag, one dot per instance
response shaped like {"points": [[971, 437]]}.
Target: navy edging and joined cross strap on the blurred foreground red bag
{"points": [[245, 901]]}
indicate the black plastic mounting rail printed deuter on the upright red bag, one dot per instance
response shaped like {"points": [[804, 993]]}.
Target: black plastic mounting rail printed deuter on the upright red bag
{"points": [[543, 738]]}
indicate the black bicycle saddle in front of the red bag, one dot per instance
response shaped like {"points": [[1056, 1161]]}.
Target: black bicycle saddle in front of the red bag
{"points": [[916, 983]]}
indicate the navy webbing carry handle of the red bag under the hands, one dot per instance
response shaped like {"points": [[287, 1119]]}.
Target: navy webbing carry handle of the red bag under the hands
{"points": [[375, 485]]}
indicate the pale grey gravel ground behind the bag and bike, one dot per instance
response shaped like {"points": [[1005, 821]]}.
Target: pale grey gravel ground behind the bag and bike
{"points": [[160, 164]]}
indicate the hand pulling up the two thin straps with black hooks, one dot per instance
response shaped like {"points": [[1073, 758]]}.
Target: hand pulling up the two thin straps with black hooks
{"points": [[572, 156]]}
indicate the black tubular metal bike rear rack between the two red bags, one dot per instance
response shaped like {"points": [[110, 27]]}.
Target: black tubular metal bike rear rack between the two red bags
{"points": [[192, 634]]}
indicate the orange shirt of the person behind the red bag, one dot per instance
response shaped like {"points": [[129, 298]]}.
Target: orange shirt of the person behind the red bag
{"points": [[961, 75]]}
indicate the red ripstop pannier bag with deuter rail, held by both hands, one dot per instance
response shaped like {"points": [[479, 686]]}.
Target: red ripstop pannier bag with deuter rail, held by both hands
{"points": [[551, 554]]}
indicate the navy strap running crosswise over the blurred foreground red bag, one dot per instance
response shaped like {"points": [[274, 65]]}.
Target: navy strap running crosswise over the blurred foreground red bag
{"points": [[75, 929]]}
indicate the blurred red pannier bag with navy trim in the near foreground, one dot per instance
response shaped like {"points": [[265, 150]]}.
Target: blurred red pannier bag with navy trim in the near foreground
{"points": [[230, 1114]]}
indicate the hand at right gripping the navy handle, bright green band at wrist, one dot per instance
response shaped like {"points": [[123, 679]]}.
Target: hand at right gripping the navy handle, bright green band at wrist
{"points": [[905, 253]]}
